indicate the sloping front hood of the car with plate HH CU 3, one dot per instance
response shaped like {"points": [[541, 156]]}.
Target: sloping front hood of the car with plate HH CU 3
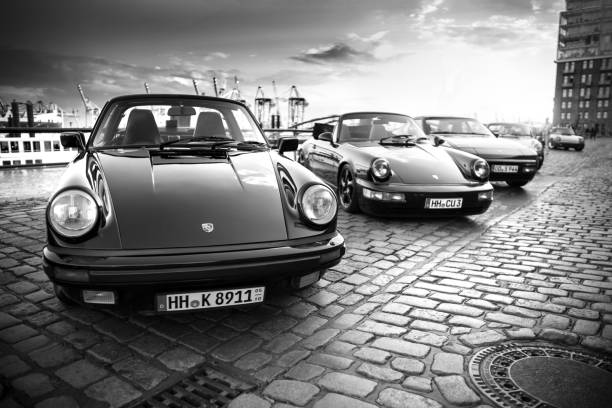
{"points": [[418, 164]]}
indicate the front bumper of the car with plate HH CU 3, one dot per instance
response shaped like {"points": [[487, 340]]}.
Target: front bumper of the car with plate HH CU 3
{"points": [[415, 197]]}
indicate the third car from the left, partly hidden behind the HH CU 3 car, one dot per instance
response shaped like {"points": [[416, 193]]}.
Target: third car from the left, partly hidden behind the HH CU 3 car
{"points": [[510, 161]]}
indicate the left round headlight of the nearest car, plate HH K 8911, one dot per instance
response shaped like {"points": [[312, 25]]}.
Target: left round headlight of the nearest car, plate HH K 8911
{"points": [[73, 213]]}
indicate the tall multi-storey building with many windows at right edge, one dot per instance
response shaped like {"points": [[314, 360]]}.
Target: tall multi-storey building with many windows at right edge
{"points": [[583, 95]]}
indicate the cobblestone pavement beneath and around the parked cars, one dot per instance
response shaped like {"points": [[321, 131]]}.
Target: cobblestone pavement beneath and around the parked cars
{"points": [[393, 325]]}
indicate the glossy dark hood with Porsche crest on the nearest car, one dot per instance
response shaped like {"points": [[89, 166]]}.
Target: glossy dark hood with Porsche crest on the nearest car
{"points": [[162, 202]]}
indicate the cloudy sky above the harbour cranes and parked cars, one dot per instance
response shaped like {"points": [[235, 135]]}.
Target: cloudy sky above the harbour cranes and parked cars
{"points": [[490, 59]]}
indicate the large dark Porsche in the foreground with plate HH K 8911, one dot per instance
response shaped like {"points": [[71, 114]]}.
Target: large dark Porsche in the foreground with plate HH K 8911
{"points": [[176, 202]]}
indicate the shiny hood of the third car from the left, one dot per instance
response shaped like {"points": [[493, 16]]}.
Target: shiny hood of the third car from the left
{"points": [[489, 147]]}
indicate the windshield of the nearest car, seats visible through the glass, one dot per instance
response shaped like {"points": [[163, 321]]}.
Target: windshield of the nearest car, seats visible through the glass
{"points": [[153, 122]]}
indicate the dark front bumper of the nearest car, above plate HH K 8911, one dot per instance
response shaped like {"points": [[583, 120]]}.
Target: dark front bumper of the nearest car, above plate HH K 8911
{"points": [[135, 275]]}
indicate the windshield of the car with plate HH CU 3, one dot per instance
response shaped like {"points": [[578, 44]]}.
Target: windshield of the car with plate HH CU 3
{"points": [[360, 127]]}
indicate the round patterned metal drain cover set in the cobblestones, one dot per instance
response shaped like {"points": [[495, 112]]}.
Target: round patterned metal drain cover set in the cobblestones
{"points": [[542, 376]]}
